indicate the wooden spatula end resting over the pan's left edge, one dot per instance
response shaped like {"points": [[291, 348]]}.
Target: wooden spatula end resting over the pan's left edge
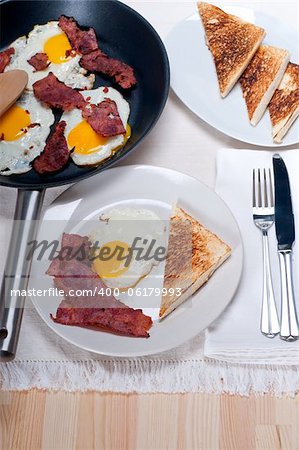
{"points": [[12, 84]]}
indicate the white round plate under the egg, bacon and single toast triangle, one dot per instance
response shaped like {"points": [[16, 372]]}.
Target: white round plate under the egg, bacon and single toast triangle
{"points": [[157, 189]]}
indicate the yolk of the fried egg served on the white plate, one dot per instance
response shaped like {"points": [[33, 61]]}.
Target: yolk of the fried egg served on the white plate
{"points": [[110, 259]]}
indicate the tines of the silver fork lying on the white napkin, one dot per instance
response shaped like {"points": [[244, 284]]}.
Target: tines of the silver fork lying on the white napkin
{"points": [[262, 192]]}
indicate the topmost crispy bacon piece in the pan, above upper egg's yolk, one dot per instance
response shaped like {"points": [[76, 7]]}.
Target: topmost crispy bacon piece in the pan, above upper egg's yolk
{"points": [[82, 41]]}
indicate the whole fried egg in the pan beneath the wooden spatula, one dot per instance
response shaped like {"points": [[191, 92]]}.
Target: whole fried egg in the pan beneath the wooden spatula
{"points": [[24, 128]]}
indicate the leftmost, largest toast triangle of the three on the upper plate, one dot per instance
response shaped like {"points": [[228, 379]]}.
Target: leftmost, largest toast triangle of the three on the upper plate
{"points": [[232, 43]]}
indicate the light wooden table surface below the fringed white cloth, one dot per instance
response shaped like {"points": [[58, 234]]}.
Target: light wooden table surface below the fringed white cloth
{"points": [[38, 420]]}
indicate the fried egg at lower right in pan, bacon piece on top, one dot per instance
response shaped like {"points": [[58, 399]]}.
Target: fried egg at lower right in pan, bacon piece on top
{"points": [[89, 147]]}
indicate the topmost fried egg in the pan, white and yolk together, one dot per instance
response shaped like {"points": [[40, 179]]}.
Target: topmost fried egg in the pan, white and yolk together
{"points": [[50, 39]]}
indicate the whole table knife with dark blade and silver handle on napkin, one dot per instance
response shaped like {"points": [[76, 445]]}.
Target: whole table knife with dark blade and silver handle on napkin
{"points": [[285, 233]]}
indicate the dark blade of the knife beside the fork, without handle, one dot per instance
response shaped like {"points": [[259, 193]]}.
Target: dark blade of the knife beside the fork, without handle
{"points": [[284, 217]]}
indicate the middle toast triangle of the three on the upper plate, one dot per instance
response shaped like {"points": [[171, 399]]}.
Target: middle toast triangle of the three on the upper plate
{"points": [[261, 79]]}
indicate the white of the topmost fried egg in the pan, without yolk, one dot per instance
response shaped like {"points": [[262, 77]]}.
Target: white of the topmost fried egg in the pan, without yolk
{"points": [[70, 72]]}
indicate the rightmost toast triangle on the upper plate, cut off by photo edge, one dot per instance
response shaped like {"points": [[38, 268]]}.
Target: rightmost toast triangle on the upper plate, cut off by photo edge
{"points": [[284, 106]]}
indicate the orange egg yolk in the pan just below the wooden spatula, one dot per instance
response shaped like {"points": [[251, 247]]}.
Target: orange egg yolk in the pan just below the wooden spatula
{"points": [[13, 123]]}
